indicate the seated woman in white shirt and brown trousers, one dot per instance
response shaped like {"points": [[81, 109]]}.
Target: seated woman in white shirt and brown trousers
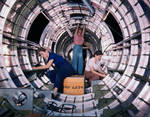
{"points": [[93, 69]]}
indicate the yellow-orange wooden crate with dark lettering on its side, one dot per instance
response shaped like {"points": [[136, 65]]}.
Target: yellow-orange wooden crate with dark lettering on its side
{"points": [[74, 85]]}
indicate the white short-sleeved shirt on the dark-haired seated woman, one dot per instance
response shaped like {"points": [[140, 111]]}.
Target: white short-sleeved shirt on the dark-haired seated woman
{"points": [[91, 64]]}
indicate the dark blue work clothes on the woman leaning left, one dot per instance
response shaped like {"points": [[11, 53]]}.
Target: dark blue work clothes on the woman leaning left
{"points": [[62, 70]]}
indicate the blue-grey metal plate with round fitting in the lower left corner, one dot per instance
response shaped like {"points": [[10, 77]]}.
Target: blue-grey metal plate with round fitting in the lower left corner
{"points": [[20, 99]]}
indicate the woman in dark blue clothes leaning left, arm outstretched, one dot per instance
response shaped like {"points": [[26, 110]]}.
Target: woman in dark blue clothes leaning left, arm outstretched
{"points": [[62, 69]]}
